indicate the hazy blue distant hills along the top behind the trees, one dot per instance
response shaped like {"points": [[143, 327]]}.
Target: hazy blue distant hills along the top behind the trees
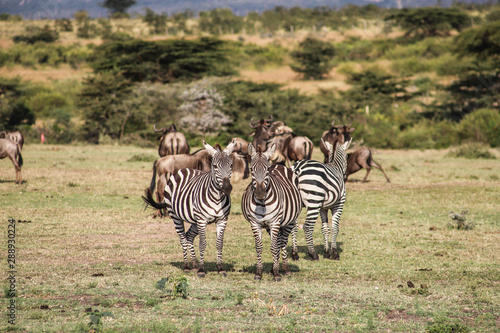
{"points": [[36, 9]]}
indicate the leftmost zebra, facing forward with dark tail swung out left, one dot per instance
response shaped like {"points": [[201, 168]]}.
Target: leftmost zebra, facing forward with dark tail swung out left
{"points": [[199, 198]]}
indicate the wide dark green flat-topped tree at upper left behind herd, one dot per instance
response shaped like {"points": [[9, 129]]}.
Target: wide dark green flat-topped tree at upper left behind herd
{"points": [[164, 61]]}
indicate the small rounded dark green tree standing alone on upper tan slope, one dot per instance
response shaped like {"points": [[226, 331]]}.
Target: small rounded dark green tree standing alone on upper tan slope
{"points": [[314, 58]]}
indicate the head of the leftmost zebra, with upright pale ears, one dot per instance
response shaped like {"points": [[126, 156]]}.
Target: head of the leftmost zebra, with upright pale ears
{"points": [[221, 166]]}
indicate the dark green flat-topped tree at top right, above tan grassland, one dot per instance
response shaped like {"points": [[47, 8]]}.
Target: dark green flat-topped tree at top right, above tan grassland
{"points": [[425, 22]]}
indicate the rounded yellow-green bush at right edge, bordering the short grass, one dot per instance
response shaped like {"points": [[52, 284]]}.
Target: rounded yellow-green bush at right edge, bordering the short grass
{"points": [[482, 125]]}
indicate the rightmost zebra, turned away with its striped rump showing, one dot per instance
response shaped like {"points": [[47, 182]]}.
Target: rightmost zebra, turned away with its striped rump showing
{"points": [[322, 188]]}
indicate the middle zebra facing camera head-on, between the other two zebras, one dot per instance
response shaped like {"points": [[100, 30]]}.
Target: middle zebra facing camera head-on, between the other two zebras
{"points": [[271, 201]]}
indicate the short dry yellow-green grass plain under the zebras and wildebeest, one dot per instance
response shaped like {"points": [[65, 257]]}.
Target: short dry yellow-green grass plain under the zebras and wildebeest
{"points": [[90, 245]]}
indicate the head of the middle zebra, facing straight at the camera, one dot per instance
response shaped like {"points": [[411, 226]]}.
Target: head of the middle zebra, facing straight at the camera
{"points": [[259, 166]]}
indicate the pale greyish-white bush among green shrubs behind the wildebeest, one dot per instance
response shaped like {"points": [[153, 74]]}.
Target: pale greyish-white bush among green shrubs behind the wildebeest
{"points": [[200, 110]]}
